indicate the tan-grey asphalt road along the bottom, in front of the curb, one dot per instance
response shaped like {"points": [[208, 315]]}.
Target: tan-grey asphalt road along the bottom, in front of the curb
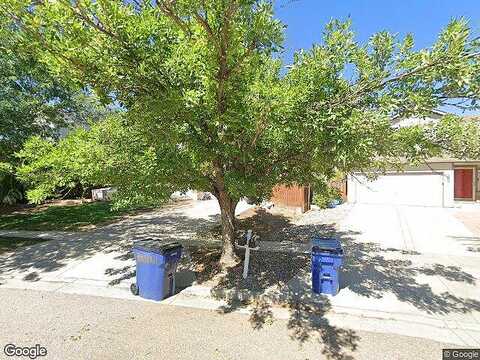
{"points": [[87, 327]]}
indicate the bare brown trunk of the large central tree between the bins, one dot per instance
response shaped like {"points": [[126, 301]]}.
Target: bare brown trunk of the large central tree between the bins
{"points": [[227, 210]]}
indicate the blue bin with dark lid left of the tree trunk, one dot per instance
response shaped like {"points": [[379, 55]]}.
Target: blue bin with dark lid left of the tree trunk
{"points": [[156, 266]]}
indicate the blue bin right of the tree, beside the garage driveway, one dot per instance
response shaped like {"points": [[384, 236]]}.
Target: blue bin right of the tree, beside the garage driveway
{"points": [[327, 258]]}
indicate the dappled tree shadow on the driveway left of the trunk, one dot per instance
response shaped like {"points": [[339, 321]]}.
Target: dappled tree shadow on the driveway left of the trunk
{"points": [[115, 240]]}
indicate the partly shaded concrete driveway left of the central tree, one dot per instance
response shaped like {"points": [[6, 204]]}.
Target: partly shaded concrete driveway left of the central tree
{"points": [[99, 258]]}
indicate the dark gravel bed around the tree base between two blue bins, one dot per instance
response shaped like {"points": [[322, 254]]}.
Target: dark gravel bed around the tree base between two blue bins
{"points": [[267, 268]]}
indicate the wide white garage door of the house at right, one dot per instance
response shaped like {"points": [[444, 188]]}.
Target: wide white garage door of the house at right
{"points": [[401, 189]]}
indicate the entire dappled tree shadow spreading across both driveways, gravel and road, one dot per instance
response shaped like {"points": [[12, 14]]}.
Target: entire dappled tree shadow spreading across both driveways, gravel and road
{"points": [[369, 271]]}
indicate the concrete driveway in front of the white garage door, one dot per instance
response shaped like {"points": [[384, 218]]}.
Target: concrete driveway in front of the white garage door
{"points": [[412, 265]]}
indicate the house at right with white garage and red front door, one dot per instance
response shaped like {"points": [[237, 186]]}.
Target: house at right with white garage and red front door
{"points": [[440, 182]]}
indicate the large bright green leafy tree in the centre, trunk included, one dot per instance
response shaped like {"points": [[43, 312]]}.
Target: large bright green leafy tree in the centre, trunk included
{"points": [[211, 107]]}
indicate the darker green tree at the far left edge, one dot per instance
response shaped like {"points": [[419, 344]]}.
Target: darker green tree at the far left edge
{"points": [[32, 103]]}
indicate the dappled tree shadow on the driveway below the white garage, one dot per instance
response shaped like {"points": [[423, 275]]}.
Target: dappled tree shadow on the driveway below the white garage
{"points": [[371, 271]]}
